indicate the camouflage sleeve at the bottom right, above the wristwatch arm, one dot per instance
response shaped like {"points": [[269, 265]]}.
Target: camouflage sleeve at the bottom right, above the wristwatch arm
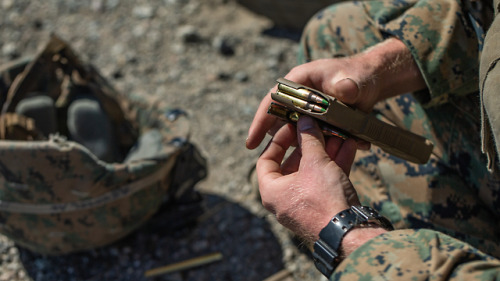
{"points": [[417, 255]]}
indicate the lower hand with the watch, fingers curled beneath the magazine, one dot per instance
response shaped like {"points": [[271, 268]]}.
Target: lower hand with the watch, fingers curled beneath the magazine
{"points": [[311, 185]]}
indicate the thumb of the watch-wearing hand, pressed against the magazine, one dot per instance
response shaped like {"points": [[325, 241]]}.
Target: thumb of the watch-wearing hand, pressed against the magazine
{"points": [[311, 140]]}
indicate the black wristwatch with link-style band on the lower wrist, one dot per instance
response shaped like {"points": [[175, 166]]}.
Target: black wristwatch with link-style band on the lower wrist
{"points": [[326, 249]]}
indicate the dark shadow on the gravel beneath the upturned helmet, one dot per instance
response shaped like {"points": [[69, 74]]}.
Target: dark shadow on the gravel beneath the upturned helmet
{"points": [[249, 249]]}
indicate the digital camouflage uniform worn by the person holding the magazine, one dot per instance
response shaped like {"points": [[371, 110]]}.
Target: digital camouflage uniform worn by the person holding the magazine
{"points": [[454, 194]]}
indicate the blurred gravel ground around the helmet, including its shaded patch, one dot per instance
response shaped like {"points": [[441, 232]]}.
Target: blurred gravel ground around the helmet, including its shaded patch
{"points": [[212, 58]]}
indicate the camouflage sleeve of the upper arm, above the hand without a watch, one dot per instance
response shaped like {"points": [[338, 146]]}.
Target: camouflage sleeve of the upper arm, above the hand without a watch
{"points": [[444, 37]]}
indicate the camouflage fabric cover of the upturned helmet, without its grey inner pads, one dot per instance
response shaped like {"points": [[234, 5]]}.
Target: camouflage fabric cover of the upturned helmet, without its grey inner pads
{"points": [[55, 196]]}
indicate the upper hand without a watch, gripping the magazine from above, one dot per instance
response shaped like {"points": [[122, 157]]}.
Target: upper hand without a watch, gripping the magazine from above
{"points": [[361, 80]]}
